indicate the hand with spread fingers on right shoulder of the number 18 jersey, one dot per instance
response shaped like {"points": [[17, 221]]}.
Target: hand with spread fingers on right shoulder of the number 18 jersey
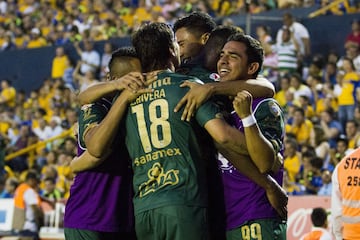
{"points": [[193, 99]]}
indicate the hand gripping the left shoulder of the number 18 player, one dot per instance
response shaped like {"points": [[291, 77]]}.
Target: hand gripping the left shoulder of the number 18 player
{"points": [[132, 81]]}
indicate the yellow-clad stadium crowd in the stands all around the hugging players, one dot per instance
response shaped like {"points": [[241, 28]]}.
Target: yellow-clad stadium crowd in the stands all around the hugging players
{"points": [[315, 98]]}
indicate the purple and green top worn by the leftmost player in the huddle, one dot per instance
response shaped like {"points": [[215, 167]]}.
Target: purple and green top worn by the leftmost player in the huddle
{"points": [[100, 198]]}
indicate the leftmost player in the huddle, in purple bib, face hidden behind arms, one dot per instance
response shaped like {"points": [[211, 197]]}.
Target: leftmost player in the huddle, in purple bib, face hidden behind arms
{"points": [[100, 204]]}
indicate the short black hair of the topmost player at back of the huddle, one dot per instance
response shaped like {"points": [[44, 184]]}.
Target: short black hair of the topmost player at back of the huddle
{"points": [[197, 23]]}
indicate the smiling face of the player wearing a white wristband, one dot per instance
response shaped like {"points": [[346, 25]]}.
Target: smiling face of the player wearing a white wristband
{"points": [[232, 64]]}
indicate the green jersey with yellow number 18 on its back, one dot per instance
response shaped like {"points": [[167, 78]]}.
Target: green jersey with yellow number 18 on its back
{"points": [[165, 151]]}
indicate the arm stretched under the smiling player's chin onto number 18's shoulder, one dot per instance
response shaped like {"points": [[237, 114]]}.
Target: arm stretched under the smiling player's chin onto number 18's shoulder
{"points": [[198, 93]]}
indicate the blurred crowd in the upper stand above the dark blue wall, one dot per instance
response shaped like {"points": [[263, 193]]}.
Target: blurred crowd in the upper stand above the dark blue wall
{"points": [[39, 23]]}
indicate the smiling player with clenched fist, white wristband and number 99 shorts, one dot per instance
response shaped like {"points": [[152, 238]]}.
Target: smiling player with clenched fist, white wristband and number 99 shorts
{"points": [[250, 214]]}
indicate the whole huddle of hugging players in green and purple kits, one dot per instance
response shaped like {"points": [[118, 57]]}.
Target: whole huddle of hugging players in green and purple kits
{"points": [[167, 151]]}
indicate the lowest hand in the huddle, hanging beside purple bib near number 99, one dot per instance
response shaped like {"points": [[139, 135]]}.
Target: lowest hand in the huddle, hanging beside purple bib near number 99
{"points": [[277, 197]]}
